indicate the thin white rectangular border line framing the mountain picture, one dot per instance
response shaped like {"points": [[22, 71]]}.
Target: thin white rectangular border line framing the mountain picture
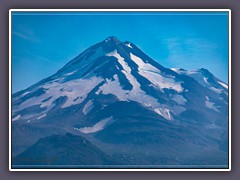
{"points": [[118, 10]]}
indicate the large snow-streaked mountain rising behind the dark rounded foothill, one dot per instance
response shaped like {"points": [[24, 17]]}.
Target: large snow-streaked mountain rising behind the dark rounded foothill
{"points": [[129, 106]]}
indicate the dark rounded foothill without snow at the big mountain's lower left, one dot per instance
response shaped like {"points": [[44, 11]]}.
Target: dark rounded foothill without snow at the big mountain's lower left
{"points": [[62, 150]]}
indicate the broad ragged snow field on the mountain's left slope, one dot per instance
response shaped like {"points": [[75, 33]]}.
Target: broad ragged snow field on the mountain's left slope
{"points": [[76, 91]]}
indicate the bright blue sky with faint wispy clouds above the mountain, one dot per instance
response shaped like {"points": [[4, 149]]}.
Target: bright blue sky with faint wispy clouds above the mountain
{"points": [[43, 42]]}
